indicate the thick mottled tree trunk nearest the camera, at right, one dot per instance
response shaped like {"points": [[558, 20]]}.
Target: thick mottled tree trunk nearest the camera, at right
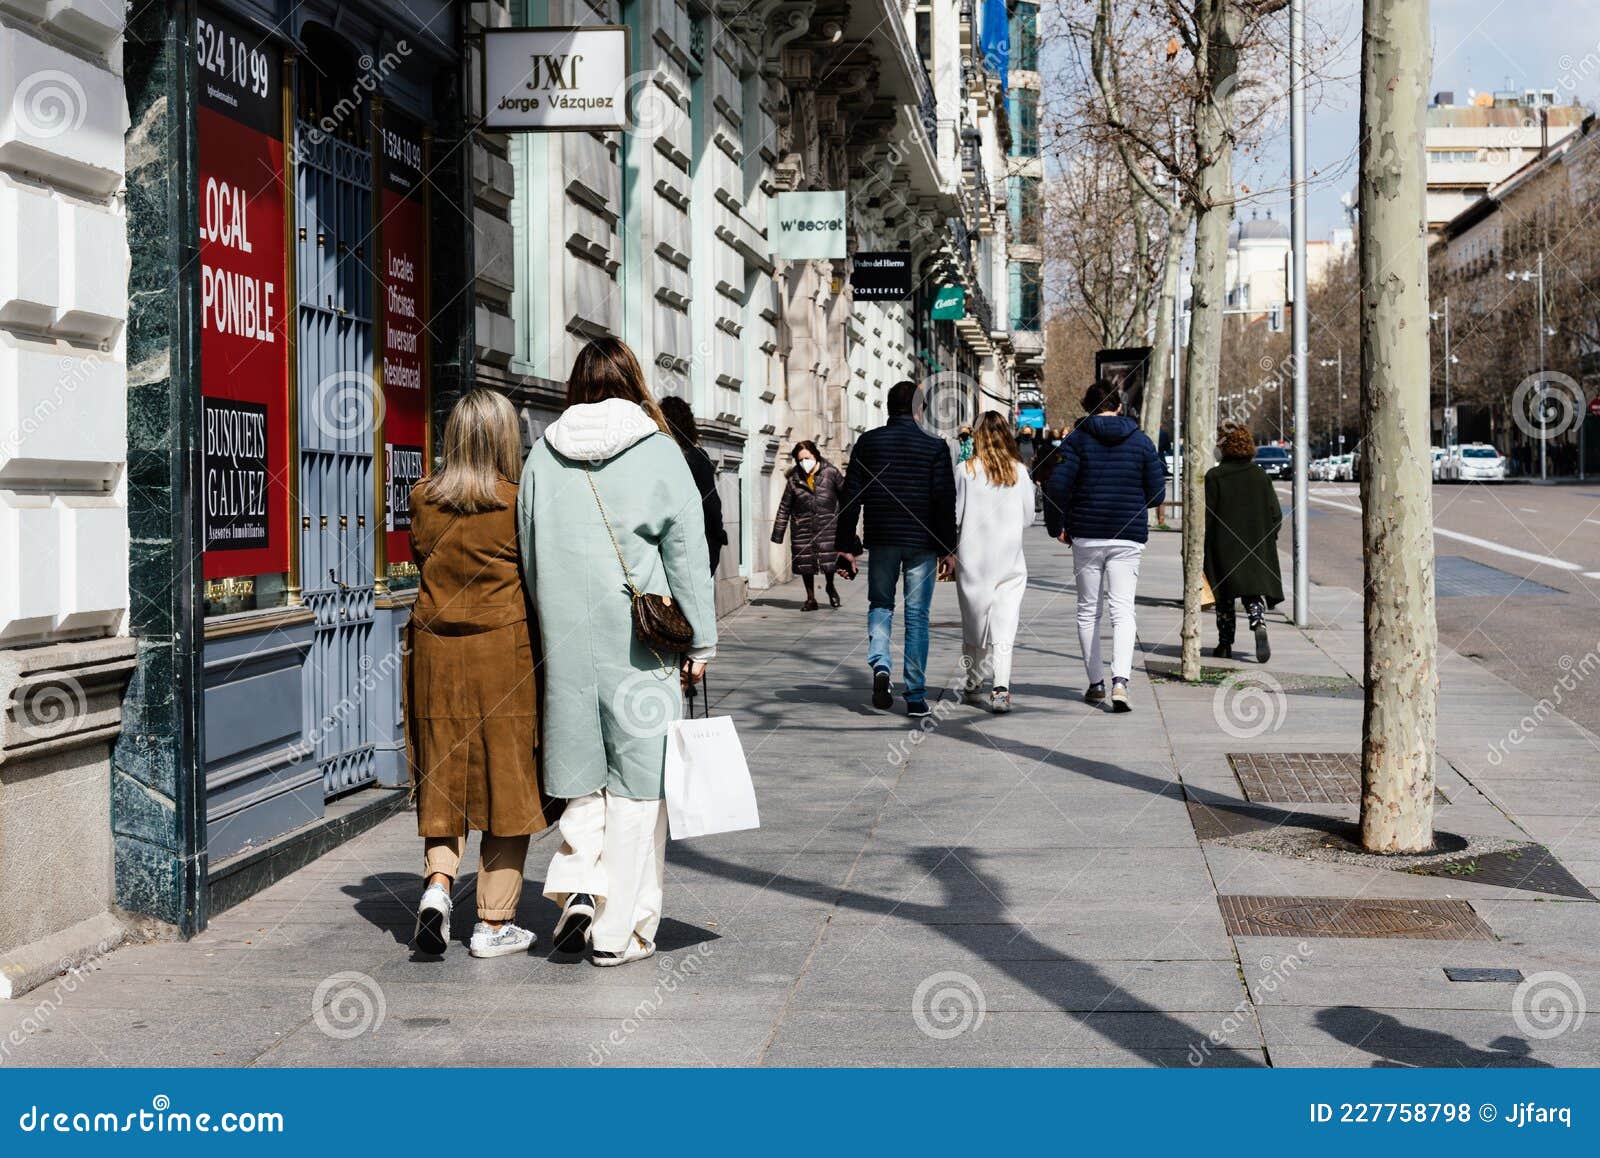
{"points": [[1398, 503]]}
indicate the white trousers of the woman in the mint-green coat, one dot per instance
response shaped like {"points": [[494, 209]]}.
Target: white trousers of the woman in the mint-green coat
{"points": [[617, 850]]}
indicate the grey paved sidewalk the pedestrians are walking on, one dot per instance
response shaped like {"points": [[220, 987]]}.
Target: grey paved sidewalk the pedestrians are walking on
{"points": [[1023, 890]]}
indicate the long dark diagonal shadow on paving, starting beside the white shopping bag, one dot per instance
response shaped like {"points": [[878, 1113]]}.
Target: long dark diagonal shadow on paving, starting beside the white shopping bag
{"points": [[1156, 1036]]}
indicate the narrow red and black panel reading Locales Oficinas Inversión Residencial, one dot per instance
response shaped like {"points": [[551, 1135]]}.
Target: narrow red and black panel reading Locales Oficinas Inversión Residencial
{"points": [[406, 330]]}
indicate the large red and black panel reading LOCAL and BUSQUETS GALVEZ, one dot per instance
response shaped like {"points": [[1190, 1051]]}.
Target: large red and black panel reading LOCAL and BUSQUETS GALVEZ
{"points": [[244, 354]]}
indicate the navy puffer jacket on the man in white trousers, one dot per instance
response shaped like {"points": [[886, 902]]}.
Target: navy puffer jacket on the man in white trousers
{"points": [[1110, 476]]}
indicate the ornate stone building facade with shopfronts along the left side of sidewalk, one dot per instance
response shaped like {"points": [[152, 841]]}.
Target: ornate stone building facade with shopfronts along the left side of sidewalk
{"points": [[257, 249]]}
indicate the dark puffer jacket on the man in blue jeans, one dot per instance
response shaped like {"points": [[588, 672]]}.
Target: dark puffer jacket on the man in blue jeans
{"points": [[902, 477]]}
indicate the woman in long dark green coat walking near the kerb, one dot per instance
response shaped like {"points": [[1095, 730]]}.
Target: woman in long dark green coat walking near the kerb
{"points": [[1242, 521]]}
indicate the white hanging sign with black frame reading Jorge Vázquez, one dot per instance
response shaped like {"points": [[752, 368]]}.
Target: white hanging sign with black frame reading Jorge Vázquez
{"points": [[556, 79]]}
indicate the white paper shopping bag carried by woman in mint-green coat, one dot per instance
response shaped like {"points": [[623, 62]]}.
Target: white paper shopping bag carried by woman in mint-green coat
{"points": [[708, 783]]}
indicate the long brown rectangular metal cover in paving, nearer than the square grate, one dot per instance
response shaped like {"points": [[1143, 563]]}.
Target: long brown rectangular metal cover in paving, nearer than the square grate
{"points": [[1346, 917]]}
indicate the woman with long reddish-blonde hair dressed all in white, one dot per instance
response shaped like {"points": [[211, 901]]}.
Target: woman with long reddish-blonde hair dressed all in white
{"points": [[994, 506]]}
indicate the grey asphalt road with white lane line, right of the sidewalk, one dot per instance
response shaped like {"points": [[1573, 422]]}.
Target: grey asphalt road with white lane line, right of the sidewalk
{"points": [[1529, 634]]}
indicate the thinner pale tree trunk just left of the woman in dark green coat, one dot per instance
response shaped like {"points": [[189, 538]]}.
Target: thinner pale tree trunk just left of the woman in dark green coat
{"points": [[1214, 215]]}
